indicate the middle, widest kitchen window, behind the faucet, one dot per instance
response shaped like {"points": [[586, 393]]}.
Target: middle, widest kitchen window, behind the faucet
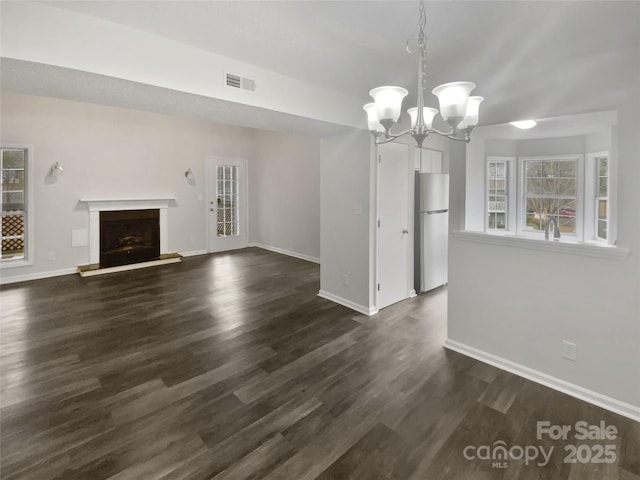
{"points": [[551, 187]]}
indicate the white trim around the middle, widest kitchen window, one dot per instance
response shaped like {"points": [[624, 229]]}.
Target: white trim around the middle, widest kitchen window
{"points": [[580, 194]]}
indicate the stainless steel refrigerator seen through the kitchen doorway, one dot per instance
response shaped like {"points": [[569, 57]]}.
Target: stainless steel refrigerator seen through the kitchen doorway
{"points": [[431, 230]]}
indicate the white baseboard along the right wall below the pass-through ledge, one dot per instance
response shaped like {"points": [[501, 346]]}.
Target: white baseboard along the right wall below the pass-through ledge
{"points": [[589, 396]]}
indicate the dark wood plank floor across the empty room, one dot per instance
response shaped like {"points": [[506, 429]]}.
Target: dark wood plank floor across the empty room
{"points": [[231, 367]]}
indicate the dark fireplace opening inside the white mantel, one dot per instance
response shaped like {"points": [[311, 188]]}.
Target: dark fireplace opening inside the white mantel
{"points": [[129, 236]]}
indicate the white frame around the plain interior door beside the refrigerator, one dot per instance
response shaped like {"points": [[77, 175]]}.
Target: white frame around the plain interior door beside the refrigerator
{"points": [[410, 222]]}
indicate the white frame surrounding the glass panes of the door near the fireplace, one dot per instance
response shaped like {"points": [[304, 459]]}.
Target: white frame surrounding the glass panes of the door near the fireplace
{"points": [[210, 193]]}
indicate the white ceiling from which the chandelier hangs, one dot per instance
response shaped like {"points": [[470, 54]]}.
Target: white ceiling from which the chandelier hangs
{"points": [[528, 58]]}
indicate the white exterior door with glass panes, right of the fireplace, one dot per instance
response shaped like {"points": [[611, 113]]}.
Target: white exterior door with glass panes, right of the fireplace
{"points": [[227, 210]]}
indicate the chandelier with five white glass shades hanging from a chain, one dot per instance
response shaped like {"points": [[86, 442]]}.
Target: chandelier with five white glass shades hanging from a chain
{"points": [[457, 108]]}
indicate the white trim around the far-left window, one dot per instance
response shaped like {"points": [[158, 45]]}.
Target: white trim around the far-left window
{"points": [[29, 211]]}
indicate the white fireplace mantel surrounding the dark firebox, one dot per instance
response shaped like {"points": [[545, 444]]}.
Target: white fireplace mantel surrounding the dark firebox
{"points": [[100, 205]]}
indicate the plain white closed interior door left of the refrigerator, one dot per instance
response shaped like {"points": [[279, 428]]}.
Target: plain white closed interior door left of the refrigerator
{"points": [[394, 168]]}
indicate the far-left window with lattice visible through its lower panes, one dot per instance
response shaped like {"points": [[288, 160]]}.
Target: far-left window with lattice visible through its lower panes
{"points": [[15, 206]]}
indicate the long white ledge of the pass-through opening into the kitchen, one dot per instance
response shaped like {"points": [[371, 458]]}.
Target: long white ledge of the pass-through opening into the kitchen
{"points": [[562, 246]]}
